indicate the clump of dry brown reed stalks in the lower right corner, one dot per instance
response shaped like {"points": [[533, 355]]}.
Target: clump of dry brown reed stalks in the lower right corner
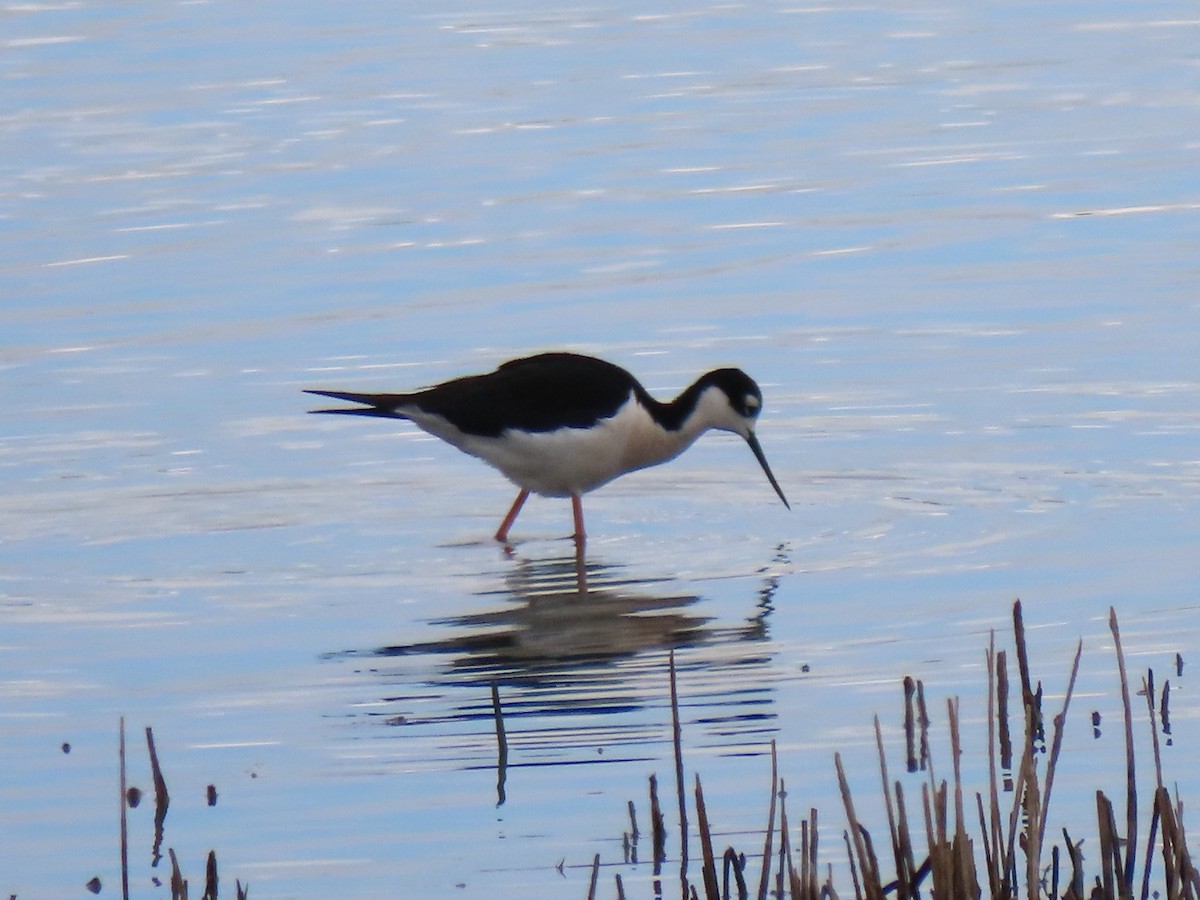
{"points": [[992, 843]]}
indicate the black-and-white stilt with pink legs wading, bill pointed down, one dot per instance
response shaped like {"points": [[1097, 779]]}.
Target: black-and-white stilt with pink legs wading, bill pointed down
{"points": [[561, 424]]}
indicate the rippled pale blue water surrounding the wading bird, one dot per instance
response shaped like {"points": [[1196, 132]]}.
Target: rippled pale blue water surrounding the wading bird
{"points": [[956, 245]]}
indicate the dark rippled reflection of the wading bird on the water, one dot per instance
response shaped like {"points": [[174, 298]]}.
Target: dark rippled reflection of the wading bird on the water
{"points": [[568, 665]]}
